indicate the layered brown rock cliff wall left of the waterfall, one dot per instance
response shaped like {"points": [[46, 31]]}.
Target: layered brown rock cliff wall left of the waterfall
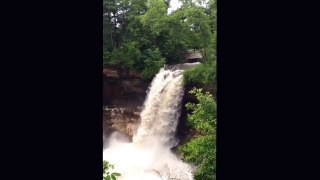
{"points": [[124, 92]]}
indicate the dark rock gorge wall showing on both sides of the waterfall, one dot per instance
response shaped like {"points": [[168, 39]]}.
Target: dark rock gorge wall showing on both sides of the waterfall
{"points": [[124, 92]]}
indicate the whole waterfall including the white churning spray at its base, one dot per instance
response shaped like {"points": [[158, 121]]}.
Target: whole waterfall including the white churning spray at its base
{"points": [[149, 156]]}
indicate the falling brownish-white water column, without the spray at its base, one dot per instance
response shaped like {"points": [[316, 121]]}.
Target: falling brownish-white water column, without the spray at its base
{"points": [[162, 109]]}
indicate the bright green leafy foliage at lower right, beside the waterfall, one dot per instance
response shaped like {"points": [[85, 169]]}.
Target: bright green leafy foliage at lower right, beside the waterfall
{"points": [[201, 150]]}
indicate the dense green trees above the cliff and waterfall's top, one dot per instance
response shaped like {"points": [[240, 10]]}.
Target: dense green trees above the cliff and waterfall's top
{"points": [[132, 28]]}
